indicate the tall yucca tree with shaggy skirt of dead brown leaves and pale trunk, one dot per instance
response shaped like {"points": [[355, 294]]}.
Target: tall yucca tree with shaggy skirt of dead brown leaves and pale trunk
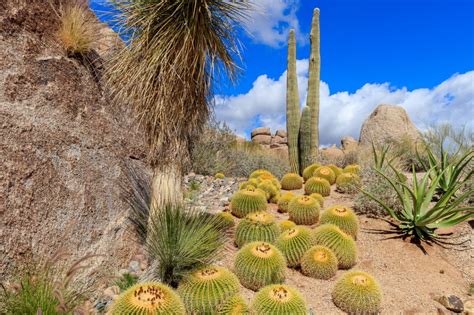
{"points": [[176, 52]]}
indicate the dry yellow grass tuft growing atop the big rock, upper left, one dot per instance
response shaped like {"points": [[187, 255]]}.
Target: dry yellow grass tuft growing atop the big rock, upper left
{"points": [[79, 32]]}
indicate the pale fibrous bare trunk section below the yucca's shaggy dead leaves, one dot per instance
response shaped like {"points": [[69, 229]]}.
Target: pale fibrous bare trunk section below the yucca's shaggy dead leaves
{"points": [[167, 187]]}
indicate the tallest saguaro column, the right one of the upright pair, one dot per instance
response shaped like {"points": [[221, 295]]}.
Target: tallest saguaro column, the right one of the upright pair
{"points": [[313, 82]]}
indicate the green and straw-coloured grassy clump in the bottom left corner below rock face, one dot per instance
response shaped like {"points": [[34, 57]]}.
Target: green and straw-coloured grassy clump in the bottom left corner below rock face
{"points": [[44, 287]]}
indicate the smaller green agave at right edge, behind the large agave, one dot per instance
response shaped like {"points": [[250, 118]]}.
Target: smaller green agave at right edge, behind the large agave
{"points": [[450, 168]]}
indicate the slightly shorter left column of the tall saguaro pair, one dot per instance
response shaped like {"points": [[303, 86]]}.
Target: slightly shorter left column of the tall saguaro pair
{"points": [[292, 104]]}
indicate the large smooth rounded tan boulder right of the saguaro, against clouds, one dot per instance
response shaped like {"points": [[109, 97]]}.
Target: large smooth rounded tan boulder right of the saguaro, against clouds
{"points": [[388, 123]]}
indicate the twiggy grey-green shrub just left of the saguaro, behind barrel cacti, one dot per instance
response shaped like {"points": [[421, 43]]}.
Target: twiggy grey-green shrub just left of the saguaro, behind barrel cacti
{"points": [[217, 150]]}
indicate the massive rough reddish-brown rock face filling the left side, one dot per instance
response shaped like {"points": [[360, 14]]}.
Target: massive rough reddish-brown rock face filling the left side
{"points": [[63, 148]]}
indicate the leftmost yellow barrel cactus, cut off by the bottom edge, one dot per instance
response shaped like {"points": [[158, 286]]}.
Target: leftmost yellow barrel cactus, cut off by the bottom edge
{"points": [[148, 298]]}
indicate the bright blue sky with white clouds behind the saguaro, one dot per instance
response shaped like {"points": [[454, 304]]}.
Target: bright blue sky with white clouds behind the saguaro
{"points": [[416, 53]]}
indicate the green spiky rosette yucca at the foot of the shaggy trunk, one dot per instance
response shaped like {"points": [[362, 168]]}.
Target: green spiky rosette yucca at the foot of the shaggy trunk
{"points": [[181, 239]]}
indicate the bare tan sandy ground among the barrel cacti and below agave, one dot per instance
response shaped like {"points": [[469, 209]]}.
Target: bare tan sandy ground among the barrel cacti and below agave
{"points": [[410, 279]]}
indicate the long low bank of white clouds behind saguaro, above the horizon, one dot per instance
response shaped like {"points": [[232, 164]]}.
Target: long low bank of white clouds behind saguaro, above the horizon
{"points": [[342, 113]]}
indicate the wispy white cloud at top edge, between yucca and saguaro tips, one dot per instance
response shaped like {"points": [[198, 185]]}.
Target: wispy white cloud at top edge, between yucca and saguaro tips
{"points": [[269, 23]]}
